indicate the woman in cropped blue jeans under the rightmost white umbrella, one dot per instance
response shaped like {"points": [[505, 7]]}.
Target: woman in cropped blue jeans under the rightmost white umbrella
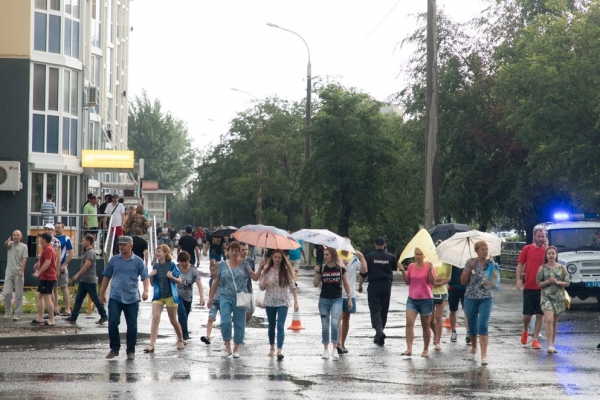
{"points": [[479, 297]]}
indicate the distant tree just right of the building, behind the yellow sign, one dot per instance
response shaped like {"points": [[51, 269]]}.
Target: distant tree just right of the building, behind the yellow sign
{"points": [[162, 141]]}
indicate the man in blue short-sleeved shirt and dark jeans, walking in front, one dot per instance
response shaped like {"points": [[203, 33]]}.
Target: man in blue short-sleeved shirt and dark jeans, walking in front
{"points": [[124, 269]]}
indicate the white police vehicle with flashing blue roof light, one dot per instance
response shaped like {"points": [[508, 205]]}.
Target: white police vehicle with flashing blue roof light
{"points": [[577, 239]]}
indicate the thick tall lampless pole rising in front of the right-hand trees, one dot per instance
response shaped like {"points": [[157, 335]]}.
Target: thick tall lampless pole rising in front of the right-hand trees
{"points": [[431, 181]]}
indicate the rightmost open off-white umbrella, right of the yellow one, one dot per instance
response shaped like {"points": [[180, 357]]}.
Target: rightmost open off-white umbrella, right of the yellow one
{"points": [[461, 247]]}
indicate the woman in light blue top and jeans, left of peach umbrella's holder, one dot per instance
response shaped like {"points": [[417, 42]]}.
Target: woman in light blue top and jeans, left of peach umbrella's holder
{"points": [[238, 269]]}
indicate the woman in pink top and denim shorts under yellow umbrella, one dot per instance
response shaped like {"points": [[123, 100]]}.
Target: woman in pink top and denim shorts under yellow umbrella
{"points": [[419, 278]]}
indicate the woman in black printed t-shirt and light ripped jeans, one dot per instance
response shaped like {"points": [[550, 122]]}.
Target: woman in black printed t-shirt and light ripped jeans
{"points": [[331, 276]]}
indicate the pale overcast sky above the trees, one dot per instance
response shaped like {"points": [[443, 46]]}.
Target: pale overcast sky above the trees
{"points": [[190, 53]]}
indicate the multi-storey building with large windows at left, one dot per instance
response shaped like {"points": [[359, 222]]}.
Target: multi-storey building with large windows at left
{"points": [[63, 89]]}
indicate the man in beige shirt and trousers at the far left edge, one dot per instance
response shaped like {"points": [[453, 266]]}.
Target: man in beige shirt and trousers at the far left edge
{"points": [[13, 276]]}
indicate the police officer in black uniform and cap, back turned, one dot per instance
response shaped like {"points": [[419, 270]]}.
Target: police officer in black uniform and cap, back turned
{"points": [[379, 270]]}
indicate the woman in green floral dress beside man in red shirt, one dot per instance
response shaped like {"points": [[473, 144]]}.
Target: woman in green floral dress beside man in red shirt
{"points": [[552, 278]]}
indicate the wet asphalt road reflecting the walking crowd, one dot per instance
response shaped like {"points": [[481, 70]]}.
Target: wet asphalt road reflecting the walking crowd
{"points": [[514, 372]]}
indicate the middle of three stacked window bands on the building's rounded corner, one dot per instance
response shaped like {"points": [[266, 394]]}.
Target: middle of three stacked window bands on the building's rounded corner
{"points": [[47, 124]]}
